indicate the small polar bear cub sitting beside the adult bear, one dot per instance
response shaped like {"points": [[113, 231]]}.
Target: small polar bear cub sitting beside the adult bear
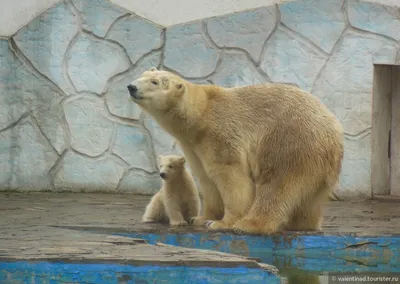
{"points": [[178, 199]]}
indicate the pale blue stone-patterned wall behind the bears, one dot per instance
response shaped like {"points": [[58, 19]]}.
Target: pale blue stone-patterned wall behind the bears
{"points": [[66, 122]]}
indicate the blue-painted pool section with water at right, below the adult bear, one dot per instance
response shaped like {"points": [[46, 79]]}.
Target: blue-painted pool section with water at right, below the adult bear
{"points": [[308, 253]]}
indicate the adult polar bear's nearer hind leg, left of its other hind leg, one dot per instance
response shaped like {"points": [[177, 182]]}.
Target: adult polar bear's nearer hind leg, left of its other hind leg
{"points": [[273, 206]]}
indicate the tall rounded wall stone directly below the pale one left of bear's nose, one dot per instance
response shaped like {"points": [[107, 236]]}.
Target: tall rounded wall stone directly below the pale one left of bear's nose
{"points": [[90, 130]]}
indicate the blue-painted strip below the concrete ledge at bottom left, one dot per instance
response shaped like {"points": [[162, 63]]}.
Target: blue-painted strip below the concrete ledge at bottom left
{"points": [[52, 273]]}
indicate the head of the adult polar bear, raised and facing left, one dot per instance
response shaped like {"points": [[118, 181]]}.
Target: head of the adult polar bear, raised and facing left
{"points": [[157, 91]]}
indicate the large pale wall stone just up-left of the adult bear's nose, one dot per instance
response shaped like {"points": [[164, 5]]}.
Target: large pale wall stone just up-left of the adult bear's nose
{"points": [[92, 63]]}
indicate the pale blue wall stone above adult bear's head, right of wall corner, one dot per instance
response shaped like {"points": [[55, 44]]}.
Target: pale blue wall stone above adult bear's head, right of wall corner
{"points": [[187, 52]]}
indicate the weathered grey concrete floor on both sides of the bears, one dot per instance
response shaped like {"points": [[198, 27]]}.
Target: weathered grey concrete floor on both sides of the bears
{"points": [[41, 226]]}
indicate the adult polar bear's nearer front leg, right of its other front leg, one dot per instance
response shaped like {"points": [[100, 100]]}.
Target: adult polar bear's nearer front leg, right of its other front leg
{"points": [[237, 192]]}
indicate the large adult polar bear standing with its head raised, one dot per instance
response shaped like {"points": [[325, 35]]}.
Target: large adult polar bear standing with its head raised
{"points": [[266, 156]]}
